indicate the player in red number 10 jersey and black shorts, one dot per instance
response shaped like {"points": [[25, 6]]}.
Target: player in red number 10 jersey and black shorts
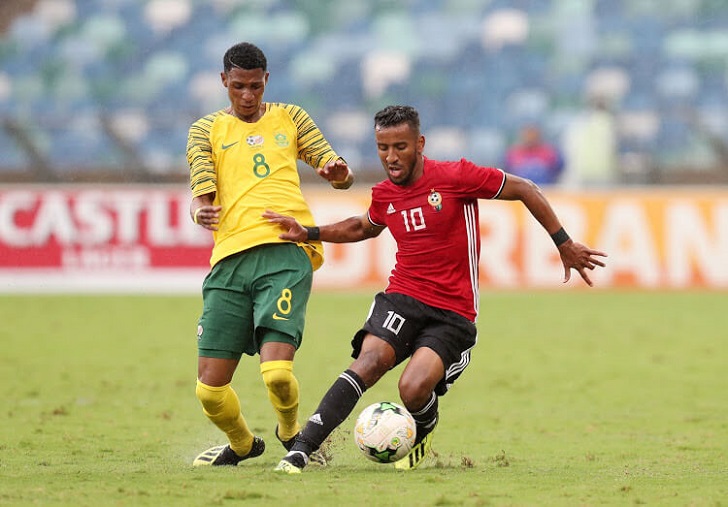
{"points": [[427, 312]]}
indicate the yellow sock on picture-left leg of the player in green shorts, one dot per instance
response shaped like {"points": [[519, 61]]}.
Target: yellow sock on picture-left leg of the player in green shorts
{"points": [[222, 406]]}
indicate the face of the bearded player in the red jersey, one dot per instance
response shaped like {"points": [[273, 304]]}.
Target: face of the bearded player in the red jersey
{"points": [[400, 150]]}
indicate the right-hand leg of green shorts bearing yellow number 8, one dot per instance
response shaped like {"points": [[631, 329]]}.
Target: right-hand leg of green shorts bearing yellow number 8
{"points": [[280, 294]]}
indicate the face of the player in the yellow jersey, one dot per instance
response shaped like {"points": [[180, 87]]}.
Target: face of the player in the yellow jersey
{"points": [[245, 90]]}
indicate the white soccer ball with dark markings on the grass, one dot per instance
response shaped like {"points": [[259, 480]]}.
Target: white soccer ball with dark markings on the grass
{"points": [[385, 432]]}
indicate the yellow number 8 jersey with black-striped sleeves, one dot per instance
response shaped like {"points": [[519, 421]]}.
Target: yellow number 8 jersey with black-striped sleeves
{"points": [[252, 167]]}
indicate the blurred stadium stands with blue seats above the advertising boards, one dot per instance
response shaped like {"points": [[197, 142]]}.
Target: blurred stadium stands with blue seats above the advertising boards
{"points": [[586, 92]]}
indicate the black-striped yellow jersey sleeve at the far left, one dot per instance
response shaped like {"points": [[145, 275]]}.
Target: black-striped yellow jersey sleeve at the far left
{"points": [[203, 179]]}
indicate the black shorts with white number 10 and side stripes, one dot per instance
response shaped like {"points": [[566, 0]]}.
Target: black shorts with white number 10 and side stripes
{"points": [[407, 325]]}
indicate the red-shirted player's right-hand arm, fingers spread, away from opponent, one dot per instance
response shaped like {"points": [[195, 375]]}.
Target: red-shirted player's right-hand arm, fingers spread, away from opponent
{"points": [[573, 255]]}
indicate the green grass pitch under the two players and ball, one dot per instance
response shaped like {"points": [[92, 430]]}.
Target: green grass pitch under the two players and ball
{"points": [[572, 398]]}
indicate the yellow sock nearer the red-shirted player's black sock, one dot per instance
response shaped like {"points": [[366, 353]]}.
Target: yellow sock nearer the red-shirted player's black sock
{"points": [[283, 394]]}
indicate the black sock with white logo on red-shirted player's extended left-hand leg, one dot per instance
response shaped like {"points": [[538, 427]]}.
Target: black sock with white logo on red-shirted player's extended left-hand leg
{"points": [[335, 406]]}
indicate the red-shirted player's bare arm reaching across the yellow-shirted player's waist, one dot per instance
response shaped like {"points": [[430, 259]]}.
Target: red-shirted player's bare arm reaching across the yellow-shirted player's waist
{"points": [[350, 230]]}
